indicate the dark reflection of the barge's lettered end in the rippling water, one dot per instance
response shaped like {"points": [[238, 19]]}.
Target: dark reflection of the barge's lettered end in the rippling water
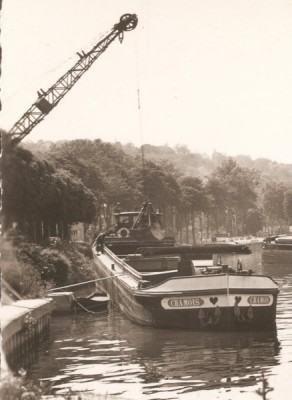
{"points": [[192, 360]]}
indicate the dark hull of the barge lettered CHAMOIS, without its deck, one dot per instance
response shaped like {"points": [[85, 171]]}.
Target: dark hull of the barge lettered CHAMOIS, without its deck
{"points": [[150, 308]]}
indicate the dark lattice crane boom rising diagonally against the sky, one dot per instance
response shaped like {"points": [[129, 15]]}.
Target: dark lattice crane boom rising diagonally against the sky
{"points": [[48, 99]]}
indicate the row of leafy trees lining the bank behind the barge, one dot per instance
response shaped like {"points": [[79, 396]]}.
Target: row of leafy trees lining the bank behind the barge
{"points": [[83, 180]]}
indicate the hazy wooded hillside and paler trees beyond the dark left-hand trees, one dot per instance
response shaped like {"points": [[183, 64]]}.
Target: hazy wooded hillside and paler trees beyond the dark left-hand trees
{"points": [[199, 195]]}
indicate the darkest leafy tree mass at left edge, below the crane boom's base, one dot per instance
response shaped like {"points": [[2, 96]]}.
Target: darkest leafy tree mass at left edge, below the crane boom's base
{"points": [[37, 197]]}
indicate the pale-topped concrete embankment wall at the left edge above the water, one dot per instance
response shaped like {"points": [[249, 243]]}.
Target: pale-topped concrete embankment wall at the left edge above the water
{"points": [[23, 324]]}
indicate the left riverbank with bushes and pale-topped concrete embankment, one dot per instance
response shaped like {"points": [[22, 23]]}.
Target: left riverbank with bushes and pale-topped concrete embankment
{"points": [[30, 271]]}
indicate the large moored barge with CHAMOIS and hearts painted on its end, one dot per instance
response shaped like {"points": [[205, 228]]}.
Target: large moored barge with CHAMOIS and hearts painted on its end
{"points": [[181, 287]]}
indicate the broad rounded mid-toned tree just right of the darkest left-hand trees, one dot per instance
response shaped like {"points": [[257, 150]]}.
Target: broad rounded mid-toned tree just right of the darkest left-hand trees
{"points": [[104, 169]]}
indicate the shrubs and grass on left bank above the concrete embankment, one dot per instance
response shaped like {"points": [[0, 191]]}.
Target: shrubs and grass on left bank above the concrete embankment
{"points": [[32, 270]]}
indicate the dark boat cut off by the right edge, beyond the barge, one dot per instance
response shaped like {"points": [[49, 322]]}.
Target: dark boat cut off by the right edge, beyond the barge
{"points": [[277, 249]]}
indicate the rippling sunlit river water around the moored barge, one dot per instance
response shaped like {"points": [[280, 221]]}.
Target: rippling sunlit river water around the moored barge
{"points": [[108, 354]]}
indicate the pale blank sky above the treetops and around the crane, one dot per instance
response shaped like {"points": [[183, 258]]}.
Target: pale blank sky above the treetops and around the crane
{"points": [[214, 75]]}
